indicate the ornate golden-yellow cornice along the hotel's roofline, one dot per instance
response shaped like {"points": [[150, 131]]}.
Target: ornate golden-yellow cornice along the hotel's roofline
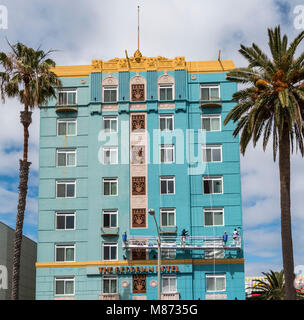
{"points": [[137, 64]]}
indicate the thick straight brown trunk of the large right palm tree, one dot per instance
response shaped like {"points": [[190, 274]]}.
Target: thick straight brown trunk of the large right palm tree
{"points": [[286, 233]]}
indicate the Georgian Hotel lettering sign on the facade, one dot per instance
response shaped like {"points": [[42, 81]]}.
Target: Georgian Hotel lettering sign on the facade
{"points": [[137, 269]]}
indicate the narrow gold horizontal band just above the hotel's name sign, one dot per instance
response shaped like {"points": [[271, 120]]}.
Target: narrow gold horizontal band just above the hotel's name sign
{"points": [[136, 263]]}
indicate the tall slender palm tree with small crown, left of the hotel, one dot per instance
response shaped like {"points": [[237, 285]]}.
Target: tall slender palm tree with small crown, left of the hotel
{"points": [[25, 75]]}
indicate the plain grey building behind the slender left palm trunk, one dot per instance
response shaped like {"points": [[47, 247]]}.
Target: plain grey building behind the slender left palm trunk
{"points": [[27, 281]]}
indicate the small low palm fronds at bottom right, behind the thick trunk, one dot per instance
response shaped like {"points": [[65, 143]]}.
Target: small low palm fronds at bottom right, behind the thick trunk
{"points": [[273, 287]]}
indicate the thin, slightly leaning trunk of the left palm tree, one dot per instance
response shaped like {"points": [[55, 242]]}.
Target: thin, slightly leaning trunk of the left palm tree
{"points": [[26, 119]]}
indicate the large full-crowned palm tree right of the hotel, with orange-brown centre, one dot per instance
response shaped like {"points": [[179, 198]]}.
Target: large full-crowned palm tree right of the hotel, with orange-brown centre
{"points": [[272, 104]]}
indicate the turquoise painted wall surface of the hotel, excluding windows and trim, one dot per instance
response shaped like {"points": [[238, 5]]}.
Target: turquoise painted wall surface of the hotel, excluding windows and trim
{"points": [[188, 200]]}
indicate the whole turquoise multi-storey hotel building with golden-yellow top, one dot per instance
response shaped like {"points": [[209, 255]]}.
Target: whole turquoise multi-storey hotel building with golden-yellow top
{"points": [[134, 162]]}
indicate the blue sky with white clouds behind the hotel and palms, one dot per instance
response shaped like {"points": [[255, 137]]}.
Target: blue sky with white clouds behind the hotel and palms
{"points": [[103, 29]]}
